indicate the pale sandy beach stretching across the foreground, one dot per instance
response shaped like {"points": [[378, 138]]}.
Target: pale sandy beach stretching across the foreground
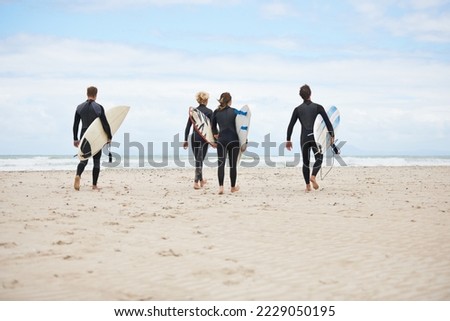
{"points": [[368, 233]]}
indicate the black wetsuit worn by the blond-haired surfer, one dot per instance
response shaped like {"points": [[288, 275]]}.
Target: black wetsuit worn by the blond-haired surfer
{"points": [[199, 146]]}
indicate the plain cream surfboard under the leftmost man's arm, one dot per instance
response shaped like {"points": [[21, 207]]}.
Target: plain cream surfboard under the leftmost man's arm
{"points": [[95, 137]]}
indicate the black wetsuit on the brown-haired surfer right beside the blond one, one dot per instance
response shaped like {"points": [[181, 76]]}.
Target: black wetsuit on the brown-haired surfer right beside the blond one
{"points": [[227, 143]]}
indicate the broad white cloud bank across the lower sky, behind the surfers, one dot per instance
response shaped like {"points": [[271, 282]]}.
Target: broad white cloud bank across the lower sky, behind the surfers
{"points": [[389, 104]]}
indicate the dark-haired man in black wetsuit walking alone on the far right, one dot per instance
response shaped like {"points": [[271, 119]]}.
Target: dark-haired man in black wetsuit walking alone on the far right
{"points": [[306, 113]]}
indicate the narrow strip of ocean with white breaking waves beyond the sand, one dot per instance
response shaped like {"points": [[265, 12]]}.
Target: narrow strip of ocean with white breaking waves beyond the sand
{"points": [[68, 162]]}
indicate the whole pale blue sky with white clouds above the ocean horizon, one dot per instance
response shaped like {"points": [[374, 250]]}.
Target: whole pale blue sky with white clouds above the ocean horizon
{"points": [[385, 64]]}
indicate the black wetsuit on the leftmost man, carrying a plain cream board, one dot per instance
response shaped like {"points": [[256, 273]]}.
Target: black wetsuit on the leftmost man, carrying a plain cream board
{"points": [[87, 112]]}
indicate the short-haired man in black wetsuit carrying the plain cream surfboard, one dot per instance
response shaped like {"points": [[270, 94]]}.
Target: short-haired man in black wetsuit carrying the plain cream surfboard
{"points": [[87, 112]]}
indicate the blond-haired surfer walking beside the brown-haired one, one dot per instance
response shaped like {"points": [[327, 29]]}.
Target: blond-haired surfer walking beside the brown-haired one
{"points": [[198, 144]]}
